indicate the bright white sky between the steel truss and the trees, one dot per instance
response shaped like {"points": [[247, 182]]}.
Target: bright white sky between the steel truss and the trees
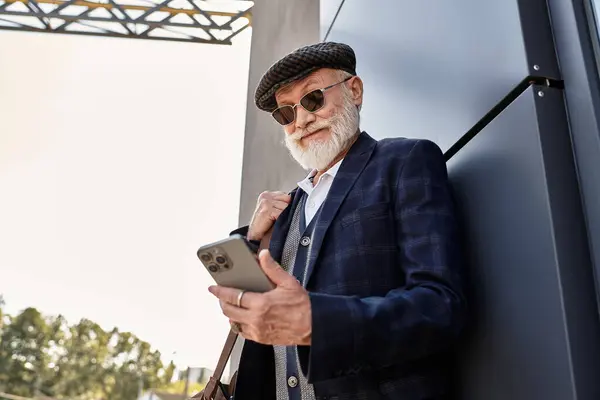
{"points": [[118, 159]]}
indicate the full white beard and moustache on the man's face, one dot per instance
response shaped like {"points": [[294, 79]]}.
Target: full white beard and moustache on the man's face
{"points": [[319, 154]]}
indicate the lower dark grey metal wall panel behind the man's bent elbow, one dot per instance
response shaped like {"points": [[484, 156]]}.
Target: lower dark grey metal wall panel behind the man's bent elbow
{"points": [[532, 297]]}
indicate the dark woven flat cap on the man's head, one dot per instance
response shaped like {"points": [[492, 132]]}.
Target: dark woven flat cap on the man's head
{"points": [[299, 64]]}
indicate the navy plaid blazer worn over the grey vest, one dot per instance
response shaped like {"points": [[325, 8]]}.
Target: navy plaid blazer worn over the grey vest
{"points": [[384, 280]]}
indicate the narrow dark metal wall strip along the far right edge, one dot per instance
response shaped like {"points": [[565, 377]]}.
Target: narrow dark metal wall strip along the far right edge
{"points": [[582, 90]]}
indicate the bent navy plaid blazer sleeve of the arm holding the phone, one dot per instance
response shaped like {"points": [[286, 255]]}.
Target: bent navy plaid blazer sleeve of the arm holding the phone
{"points": [[424, 316]]}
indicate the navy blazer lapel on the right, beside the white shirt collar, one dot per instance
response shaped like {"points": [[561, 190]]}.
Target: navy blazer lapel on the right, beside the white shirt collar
{"points": [[353, 164]]}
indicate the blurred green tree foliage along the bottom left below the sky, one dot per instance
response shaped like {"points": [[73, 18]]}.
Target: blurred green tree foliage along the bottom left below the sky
{"points": [[46, 356]]}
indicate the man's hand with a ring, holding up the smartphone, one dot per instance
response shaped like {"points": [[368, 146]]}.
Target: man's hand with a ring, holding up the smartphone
{"points": [[281, 316]]}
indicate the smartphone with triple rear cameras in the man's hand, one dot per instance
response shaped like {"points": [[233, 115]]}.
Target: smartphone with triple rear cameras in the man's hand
{"points": [[232, 264]]}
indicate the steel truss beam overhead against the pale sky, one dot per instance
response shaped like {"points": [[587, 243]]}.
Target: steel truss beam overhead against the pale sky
{"points": [[214, 22]]}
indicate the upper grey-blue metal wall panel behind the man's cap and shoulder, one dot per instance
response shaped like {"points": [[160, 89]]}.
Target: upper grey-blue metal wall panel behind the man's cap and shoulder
{"points": [[432, 69]]}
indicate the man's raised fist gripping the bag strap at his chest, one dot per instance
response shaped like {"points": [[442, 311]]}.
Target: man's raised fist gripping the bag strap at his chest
{"points": [[268, 208]]}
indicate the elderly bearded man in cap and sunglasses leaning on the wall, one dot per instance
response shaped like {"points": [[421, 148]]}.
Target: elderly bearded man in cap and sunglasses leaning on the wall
{"points": [[364, 253]]}
